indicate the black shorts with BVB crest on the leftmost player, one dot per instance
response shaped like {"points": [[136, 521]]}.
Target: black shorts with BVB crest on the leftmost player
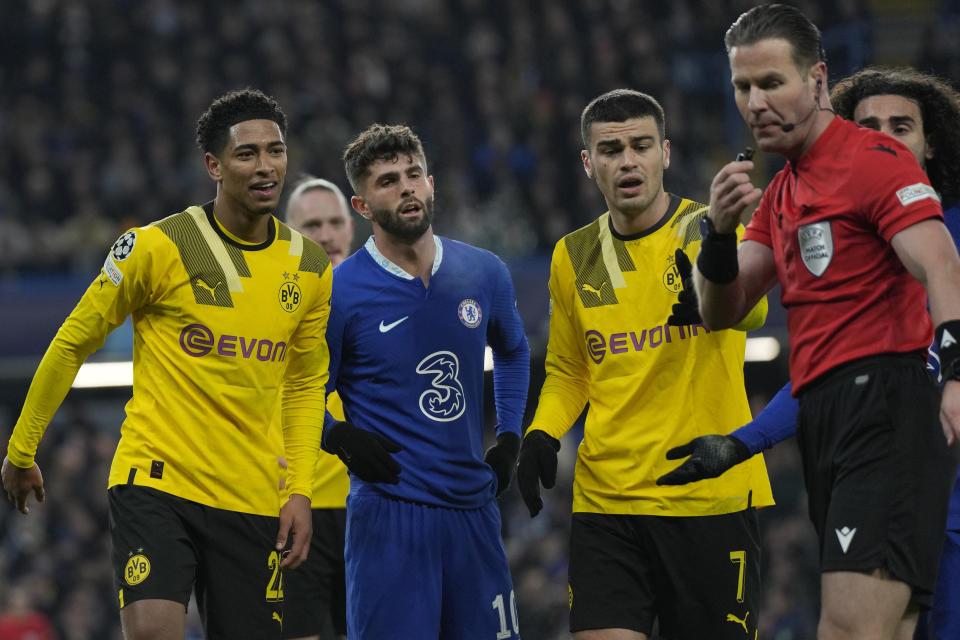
{"points": [[164, 547]]}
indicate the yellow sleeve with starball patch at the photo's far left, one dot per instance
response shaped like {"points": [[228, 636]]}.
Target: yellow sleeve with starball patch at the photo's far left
{"points": [[104, 306]]}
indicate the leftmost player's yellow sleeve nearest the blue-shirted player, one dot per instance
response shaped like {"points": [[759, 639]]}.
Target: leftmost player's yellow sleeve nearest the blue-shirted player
{"points": [[303, 391]]}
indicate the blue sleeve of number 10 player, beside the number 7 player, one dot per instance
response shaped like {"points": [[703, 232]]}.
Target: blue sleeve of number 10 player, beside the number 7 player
{"points": [[511, 355]]}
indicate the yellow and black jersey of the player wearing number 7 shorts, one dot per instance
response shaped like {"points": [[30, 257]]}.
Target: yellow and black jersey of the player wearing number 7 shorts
{"points": [[649, 386]]}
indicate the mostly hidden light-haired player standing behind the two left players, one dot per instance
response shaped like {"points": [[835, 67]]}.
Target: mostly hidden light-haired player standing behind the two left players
{"points": [[315, 595]]}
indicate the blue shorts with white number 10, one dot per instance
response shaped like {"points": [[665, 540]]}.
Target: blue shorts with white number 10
{"points": [[417, 571]]}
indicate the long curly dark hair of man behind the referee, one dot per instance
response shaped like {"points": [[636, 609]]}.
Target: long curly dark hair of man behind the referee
{"points": [[939, 107]]}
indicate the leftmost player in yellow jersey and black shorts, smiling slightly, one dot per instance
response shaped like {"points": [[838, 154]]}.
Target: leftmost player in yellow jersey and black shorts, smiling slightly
{"points": [[229, 314]]}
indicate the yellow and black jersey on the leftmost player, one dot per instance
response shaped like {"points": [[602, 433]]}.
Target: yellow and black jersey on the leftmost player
{"points": [[223, 331]]}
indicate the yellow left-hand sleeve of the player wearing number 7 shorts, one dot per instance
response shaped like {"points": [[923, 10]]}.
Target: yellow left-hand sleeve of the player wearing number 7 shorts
{"points": [[565, 390]]}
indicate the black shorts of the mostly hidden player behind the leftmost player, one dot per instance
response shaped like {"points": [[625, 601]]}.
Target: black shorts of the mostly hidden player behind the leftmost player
{"points": [[314, 592]]}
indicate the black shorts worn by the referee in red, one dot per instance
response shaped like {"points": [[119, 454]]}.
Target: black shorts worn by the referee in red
{"points": [[878, 470]]}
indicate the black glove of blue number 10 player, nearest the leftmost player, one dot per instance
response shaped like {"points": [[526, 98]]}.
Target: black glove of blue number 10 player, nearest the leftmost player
{"points": [[366, 454]]}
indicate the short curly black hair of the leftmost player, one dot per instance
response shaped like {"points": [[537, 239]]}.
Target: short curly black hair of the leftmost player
{"points": [[213, 127]]}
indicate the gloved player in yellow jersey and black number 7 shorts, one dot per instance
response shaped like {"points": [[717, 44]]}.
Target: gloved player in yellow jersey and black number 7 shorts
{"points": [[686, 556]]}
